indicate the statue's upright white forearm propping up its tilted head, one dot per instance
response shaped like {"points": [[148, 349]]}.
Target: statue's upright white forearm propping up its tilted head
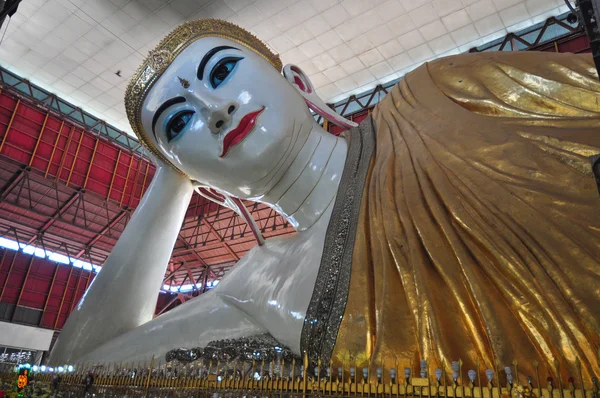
{"points": [[123, 295]]}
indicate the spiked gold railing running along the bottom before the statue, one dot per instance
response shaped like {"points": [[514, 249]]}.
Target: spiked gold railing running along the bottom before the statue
{"points": [[259, 378]]}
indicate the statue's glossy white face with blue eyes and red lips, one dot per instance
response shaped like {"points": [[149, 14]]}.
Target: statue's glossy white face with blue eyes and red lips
{"points": [[224, 116]]}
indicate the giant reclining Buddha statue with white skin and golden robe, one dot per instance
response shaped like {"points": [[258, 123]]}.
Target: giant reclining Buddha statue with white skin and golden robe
{"points": [[461, 220]]}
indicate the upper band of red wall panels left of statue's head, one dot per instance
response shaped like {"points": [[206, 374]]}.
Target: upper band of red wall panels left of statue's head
{"points": [[68, 154]]}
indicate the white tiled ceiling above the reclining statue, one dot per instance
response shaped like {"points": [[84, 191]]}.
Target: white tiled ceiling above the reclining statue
{"points": [[75, 47]]}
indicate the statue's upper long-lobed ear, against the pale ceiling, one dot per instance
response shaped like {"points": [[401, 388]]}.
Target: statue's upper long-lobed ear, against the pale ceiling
{"points": [[297, 78]]}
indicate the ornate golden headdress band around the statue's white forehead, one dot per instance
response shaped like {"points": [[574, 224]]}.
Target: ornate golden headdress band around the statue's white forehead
{"points": [[159, 59]]}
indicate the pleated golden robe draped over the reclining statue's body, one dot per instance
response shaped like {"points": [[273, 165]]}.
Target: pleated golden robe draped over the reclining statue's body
{"points": [[479, 229]]}
